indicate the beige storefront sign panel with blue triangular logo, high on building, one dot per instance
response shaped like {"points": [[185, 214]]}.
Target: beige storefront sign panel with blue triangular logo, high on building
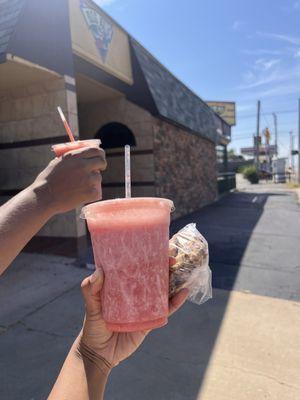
{"points": [[96, 38]]}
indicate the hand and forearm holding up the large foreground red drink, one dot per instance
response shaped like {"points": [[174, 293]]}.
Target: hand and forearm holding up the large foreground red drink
{"points": [[97, 350]]}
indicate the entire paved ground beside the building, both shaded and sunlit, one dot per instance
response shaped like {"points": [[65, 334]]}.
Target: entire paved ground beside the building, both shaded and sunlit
{"points": [[243, 344]]}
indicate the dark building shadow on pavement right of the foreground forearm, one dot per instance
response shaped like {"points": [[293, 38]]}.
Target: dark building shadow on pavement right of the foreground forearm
{"points": [[172, 362]]}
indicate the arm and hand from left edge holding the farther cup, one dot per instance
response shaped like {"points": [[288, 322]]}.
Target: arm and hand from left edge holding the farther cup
{"points": [[66, 183]]}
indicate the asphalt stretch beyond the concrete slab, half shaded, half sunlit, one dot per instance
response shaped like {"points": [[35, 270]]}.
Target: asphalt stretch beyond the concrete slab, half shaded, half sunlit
{"points": [[254, 238]]}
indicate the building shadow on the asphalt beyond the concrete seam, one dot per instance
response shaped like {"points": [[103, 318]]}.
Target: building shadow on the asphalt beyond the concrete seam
{"points": [[227, 225]]}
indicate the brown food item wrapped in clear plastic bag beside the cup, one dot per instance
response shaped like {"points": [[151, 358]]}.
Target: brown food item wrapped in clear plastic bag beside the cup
{"points": [[191, 271]]}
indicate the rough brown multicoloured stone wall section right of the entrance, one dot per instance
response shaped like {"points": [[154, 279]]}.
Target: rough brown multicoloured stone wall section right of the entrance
{"points": [[185, 168]]}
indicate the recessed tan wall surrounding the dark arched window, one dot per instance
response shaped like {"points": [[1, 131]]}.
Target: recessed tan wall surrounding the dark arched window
{"points": [[94, 116]]}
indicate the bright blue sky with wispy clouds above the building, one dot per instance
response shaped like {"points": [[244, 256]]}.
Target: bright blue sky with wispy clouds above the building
{"points": [[237, 50]]}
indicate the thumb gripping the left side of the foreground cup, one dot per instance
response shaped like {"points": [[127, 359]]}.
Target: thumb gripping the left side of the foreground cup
{"points": [[91, 290]]}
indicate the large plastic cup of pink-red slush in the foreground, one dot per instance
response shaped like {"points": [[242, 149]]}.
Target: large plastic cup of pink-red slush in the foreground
{"points": [[130, 239]]}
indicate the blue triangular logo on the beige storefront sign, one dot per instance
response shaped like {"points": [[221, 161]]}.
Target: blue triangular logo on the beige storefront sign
{"points": [[101, 28]]}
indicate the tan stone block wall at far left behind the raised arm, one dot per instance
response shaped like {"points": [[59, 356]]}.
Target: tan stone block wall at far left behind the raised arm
{"points": [[27, 114]]}
